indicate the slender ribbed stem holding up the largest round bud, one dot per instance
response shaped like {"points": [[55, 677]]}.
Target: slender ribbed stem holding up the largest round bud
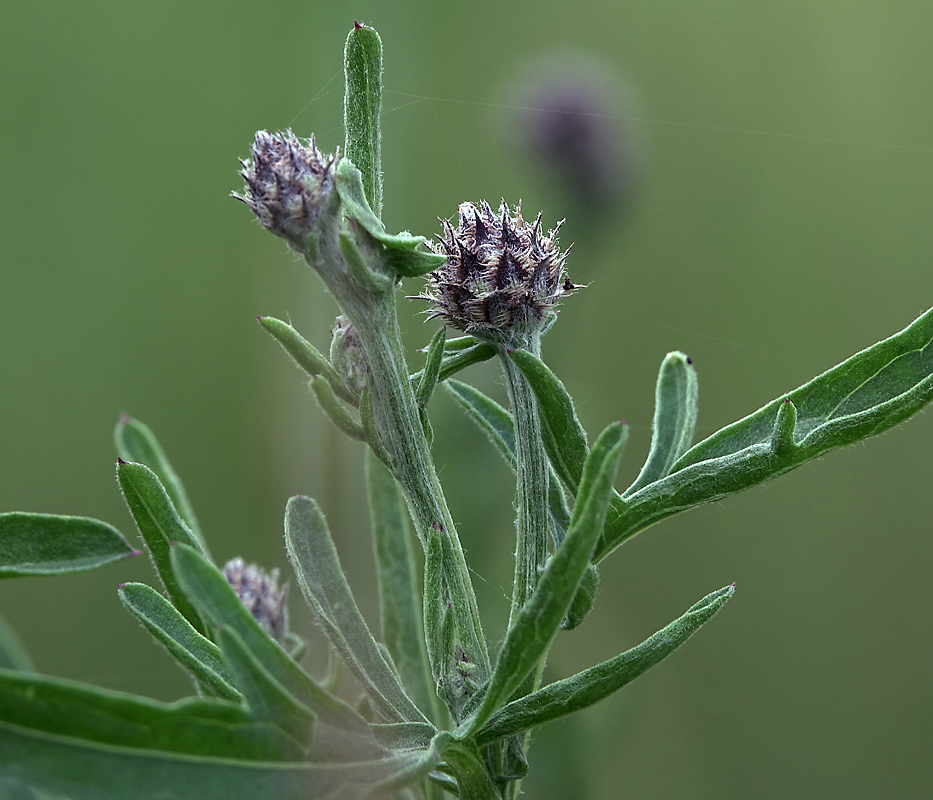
{"points": [[532, 483]]}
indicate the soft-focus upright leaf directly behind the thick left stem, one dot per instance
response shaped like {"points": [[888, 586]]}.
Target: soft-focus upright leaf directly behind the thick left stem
{"points": [[399, 592]]}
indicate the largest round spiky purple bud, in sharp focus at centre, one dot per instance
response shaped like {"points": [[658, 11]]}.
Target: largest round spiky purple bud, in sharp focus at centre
{"points": [[502, 276]]}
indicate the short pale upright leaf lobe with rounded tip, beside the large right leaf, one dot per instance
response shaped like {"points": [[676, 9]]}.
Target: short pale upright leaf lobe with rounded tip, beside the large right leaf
{"points": [[675, 415]]}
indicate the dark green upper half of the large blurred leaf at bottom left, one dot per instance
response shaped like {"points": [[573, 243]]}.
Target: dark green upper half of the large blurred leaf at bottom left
{"points": [[195, 727]]}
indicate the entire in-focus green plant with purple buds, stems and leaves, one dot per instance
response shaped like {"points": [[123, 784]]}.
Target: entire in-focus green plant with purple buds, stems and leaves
{"points": [[437, 710]]}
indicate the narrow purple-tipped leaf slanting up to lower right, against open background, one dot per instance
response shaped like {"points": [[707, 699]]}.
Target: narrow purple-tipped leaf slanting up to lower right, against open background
{"points": [[596, 683]]}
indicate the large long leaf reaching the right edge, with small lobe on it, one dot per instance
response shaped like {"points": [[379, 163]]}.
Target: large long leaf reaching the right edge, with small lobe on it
{"points": [[867, 394]]}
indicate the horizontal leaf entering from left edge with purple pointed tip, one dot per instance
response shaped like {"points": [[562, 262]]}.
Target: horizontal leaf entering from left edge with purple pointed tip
{"points": [[46, 544]]}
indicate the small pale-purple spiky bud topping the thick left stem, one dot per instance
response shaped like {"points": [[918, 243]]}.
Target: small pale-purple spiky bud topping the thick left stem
{"points": [[288, 184]]}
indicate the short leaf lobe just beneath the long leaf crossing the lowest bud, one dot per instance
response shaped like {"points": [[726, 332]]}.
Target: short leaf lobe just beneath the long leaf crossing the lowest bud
{"points": [[266, 700]]}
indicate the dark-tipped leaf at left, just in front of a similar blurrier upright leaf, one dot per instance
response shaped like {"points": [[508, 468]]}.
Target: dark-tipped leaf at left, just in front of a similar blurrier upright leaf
{"points": [[160, 527]]}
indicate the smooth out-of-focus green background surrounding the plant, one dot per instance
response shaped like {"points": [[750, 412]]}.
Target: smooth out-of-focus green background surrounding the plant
{"points": [[775, 219]]}
